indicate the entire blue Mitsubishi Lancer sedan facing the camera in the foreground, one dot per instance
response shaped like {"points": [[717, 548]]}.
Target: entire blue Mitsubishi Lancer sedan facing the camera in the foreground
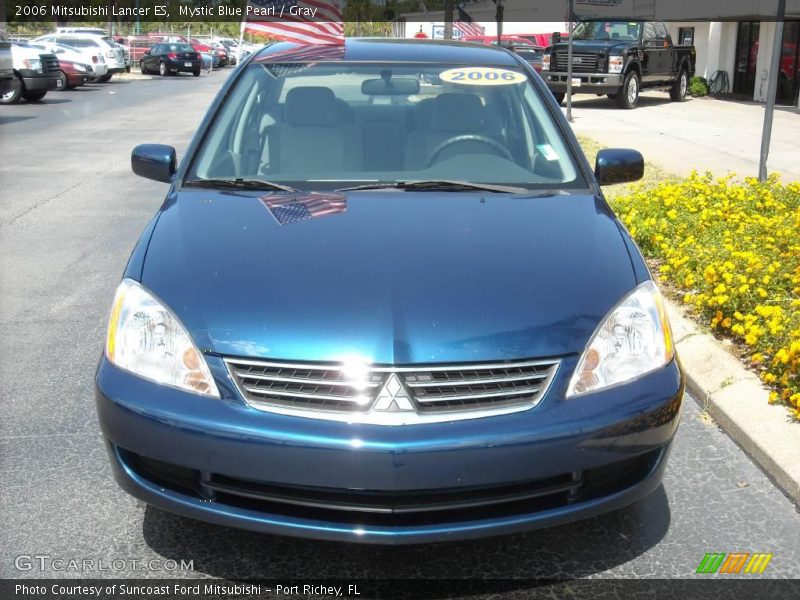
{"points": [[385, 301]]}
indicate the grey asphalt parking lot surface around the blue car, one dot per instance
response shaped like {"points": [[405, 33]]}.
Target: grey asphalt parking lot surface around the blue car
{"points": [[71, 211]]}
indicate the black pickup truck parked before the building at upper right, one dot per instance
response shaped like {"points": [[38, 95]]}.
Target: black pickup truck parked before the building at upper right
{"points": [[620, 58]]}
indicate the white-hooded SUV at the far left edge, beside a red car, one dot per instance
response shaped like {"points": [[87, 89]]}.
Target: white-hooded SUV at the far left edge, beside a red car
{"points": [[35, 73]]}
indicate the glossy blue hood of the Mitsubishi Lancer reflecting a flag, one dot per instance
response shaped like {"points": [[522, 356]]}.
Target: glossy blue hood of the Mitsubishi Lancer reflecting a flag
{"points": [[388, 277]]}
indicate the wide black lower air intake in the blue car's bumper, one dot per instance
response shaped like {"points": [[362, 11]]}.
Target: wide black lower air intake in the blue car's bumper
{"points": [[397, 507]]}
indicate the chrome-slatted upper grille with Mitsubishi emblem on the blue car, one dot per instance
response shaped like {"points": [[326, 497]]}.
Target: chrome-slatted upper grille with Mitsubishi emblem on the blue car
{"points": [[391, 395]]}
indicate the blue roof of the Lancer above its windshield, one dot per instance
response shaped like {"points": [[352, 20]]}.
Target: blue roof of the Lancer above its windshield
{"points": [[394, 50]]}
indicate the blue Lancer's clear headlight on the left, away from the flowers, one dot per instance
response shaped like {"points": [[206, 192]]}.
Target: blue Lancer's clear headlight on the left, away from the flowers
{"points": [[147, 339]]}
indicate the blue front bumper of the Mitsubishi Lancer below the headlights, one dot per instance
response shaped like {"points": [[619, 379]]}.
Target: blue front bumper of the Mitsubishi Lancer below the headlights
{"points": [[219, 460]]}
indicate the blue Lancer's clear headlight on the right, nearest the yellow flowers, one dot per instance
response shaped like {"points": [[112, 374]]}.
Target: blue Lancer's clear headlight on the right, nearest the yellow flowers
{"points": [[633, 340]]}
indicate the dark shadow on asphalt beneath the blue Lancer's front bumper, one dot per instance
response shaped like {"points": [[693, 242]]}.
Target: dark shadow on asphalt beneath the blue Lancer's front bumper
{"points": [[568, 551]]}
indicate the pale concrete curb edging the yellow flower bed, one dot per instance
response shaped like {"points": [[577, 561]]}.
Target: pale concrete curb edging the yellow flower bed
{"points": [[738, 402]]}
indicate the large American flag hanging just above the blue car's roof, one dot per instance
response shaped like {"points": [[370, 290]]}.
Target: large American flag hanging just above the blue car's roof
{"points": [[325, 27]]}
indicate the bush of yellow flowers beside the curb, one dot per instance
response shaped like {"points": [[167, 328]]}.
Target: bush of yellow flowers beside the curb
{"points": [[731, 250]]}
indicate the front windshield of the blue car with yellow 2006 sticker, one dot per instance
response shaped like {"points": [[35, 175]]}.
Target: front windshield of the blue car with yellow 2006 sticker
{"points": [[326, 125]]}
